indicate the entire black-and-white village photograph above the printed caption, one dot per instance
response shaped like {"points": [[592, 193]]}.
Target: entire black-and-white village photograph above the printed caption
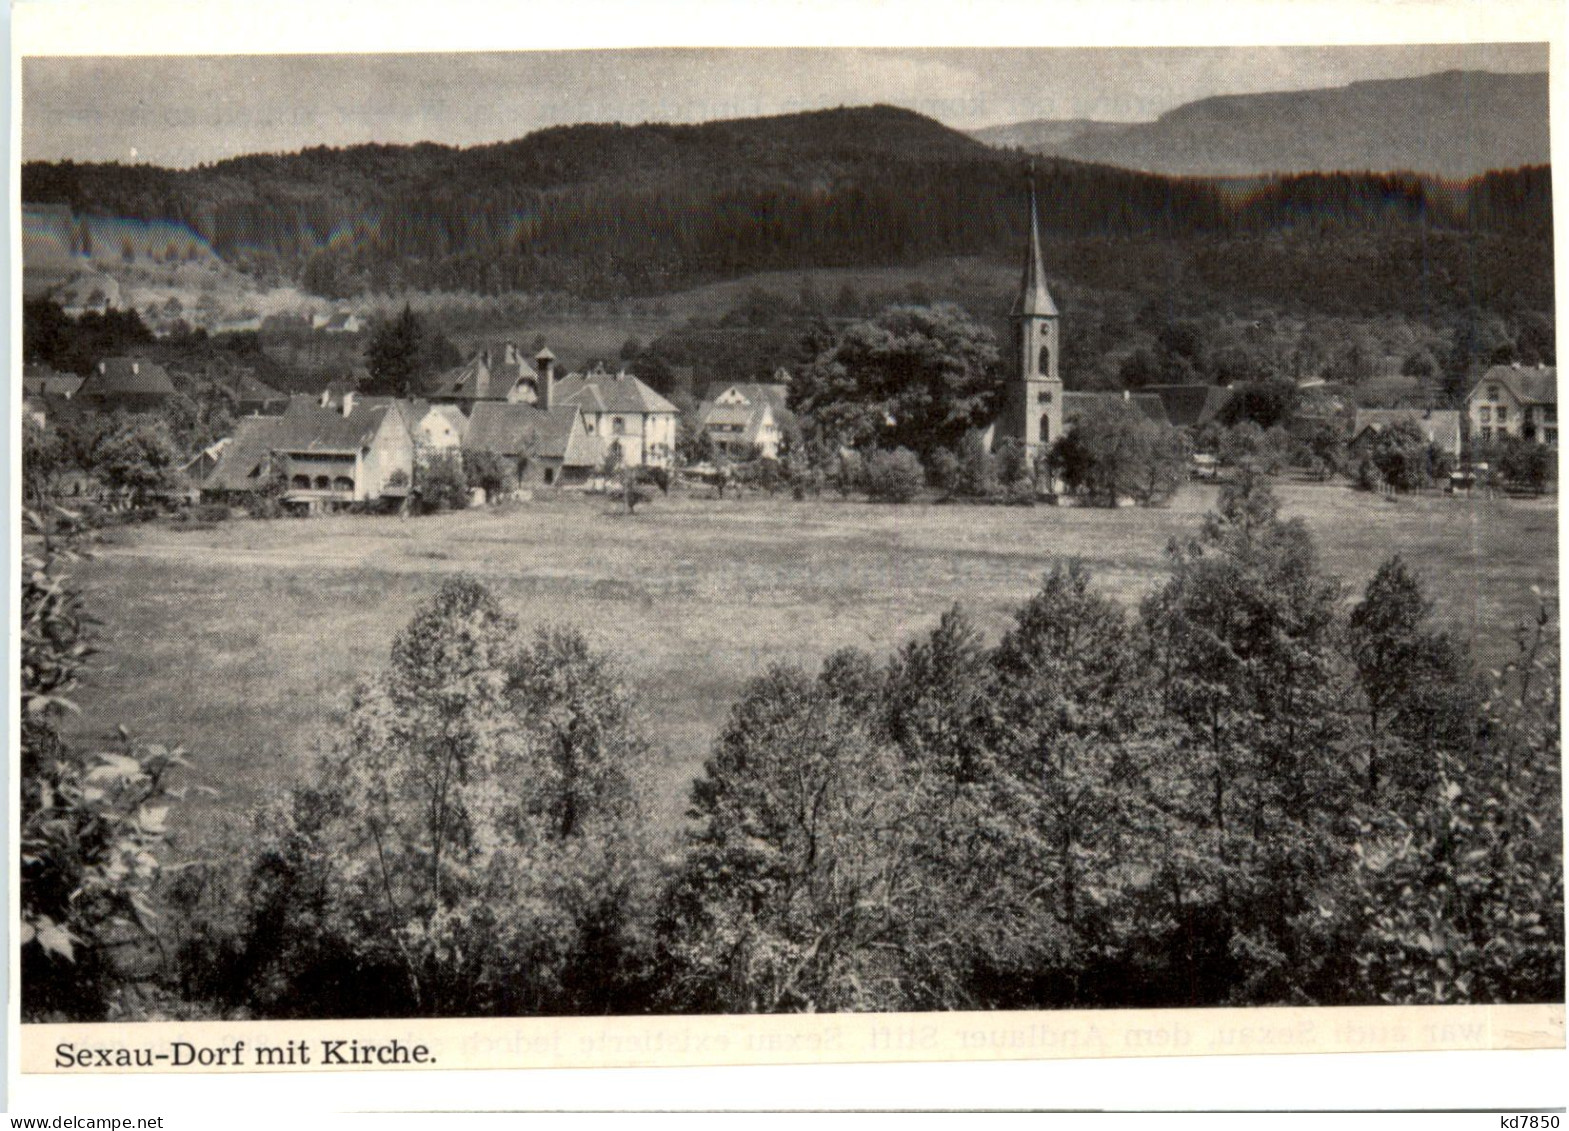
{"points": [[671, 533]]}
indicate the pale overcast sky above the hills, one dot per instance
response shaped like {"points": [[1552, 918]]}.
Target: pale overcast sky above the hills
{"points": [[184, 111]]}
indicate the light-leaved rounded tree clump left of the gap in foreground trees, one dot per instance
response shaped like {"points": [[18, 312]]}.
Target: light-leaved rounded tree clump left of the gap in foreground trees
{"points": [[470, 846]]}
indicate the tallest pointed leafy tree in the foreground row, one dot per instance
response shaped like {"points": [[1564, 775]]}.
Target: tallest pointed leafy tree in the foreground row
{"points": [[1245, 642]]}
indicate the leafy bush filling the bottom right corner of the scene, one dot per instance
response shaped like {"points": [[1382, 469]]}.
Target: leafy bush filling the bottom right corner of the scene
{"points": [[1463, 900]]}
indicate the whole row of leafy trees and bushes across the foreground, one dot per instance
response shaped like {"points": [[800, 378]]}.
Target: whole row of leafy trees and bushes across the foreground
{"points": [[1254, 790]]}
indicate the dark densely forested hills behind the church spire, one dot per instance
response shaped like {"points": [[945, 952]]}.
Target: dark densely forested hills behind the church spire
{"points": [[603, 211]]}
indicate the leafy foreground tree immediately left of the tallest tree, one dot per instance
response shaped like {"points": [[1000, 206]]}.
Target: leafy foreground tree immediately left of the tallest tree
{"points": [[1074, 735]]}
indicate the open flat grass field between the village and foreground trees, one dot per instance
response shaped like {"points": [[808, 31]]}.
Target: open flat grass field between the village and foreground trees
{"points": [[241, 641]]}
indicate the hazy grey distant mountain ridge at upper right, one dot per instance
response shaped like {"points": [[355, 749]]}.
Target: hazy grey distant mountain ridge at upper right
{"points": [[1454, 125]]}
